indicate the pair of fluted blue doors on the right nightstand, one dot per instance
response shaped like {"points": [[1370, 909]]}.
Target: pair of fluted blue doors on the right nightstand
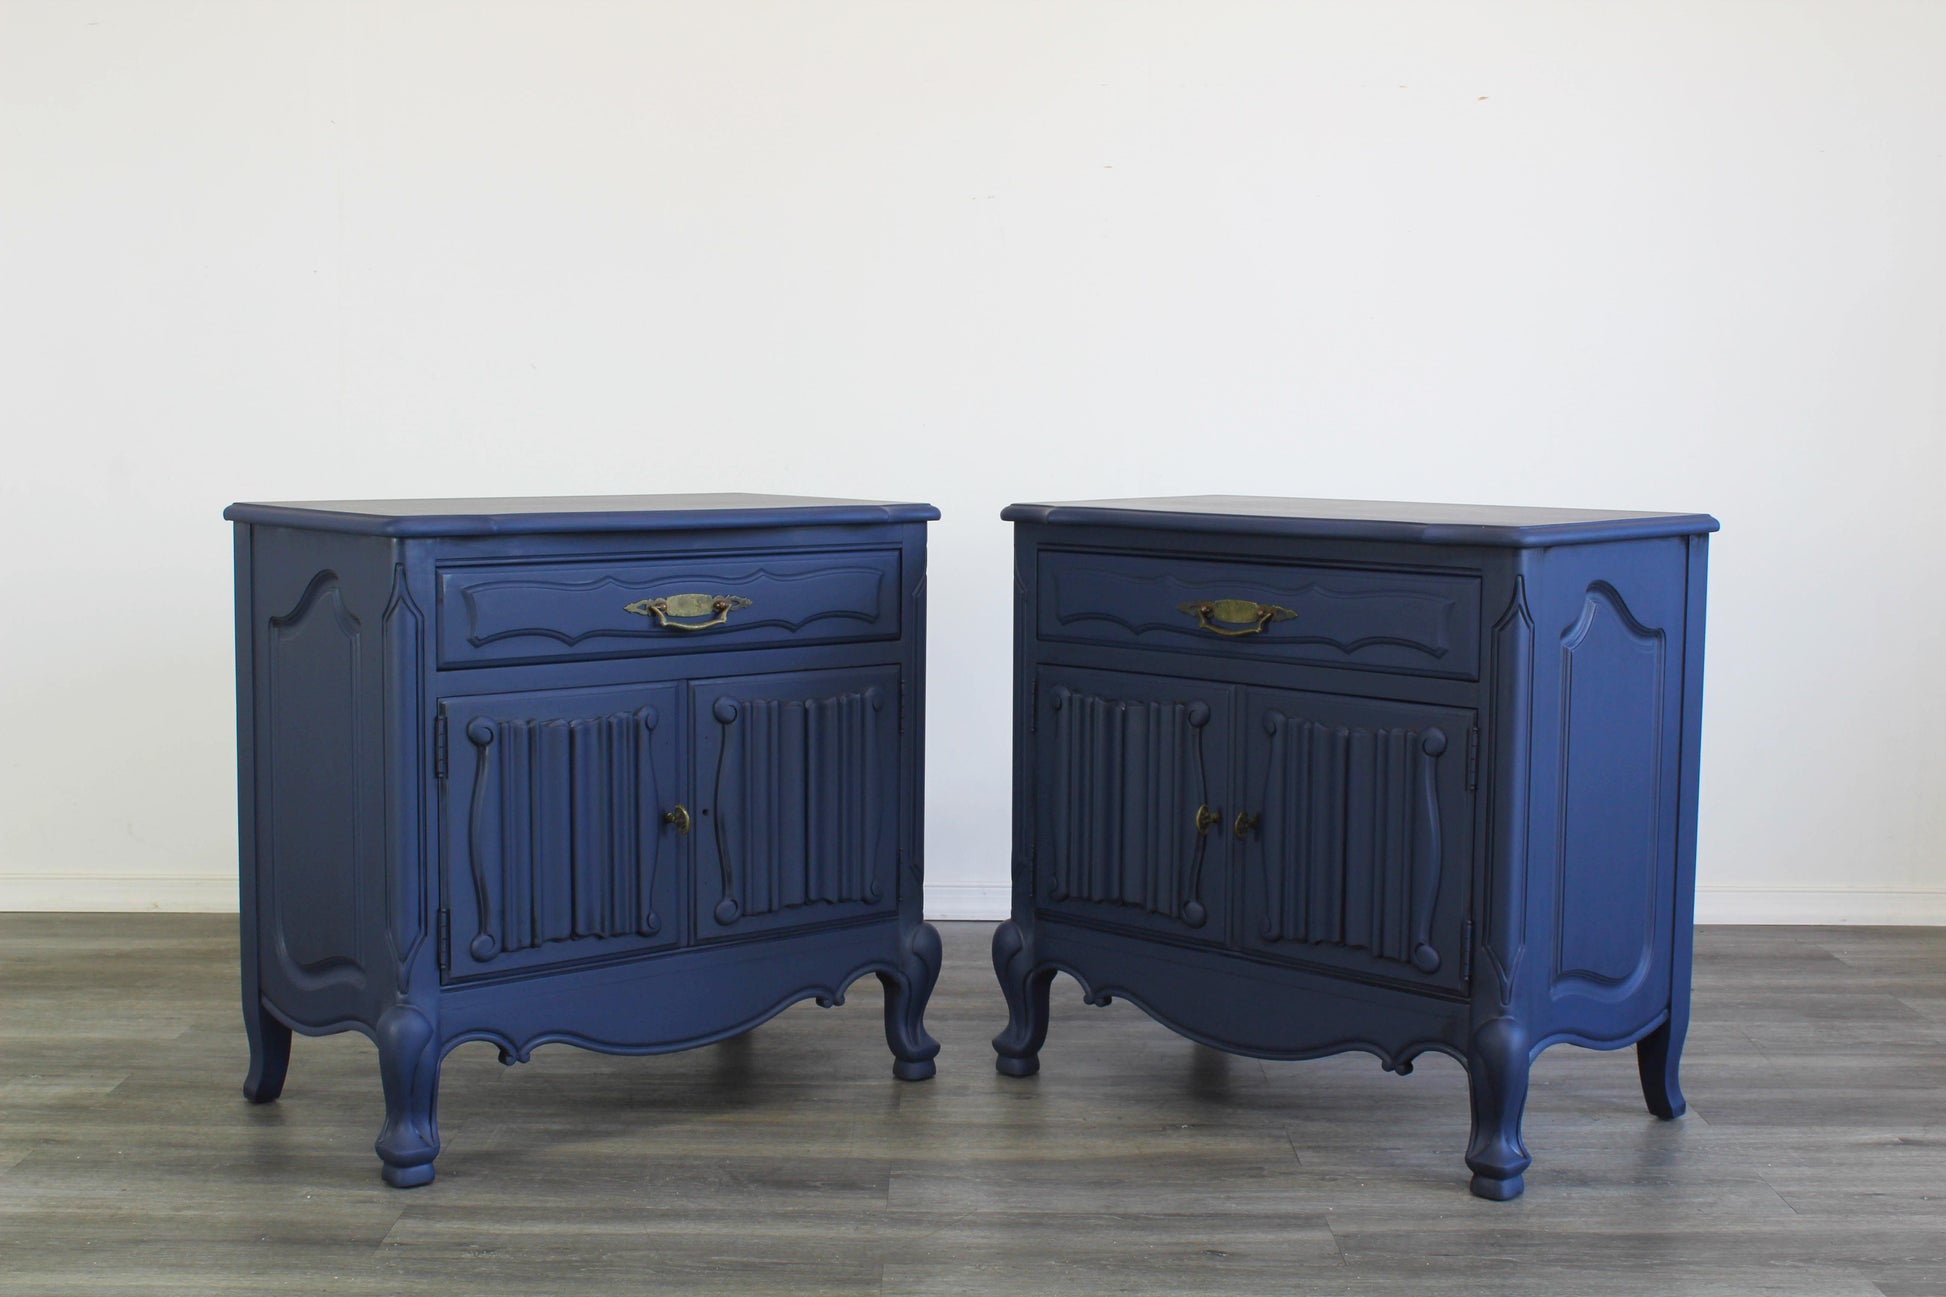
{"points": [[1297, 827]]}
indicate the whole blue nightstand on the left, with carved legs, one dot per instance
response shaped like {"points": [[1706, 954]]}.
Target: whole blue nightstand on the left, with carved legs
{"points": [[466, 776]]}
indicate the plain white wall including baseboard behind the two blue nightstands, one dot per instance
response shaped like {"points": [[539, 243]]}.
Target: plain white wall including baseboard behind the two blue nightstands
{"points": [[1643, 256]]}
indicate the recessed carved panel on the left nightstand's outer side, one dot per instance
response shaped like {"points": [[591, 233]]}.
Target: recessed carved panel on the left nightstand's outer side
{"points": [[312, 813]]}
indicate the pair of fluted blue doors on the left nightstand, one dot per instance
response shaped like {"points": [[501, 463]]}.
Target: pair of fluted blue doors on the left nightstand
{"points": [[614, 821]]}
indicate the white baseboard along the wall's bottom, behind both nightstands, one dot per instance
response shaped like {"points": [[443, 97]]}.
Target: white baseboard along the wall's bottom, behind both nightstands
{"points": [[968, 901]]}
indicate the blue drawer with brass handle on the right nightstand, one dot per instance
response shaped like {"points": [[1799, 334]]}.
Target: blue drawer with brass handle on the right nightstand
{"points": [[1373, 618]]}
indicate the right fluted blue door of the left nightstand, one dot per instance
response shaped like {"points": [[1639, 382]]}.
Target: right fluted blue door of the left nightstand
{"points": [[799, 786]]}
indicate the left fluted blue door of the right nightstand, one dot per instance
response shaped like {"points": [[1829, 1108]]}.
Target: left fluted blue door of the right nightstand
{"points": [[1130, 797]]}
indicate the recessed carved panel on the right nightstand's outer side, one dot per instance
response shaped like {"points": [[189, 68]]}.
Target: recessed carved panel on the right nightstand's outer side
{"points": [[1610, 833]]}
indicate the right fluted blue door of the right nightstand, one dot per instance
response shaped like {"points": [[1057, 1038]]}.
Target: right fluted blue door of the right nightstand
{"points": [[1359, 834]]}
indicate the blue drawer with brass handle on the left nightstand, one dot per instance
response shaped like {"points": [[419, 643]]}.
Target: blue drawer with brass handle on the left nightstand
{"points": [[635, 605]]}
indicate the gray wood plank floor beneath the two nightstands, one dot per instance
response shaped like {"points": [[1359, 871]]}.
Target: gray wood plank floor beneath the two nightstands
{"points": [[789, 1162]]}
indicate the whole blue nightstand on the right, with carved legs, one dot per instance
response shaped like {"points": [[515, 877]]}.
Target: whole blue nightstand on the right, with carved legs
{"points": [[1449, 803]]}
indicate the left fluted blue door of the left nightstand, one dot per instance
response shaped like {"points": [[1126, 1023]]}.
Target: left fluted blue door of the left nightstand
{"points": [[556, 840]]}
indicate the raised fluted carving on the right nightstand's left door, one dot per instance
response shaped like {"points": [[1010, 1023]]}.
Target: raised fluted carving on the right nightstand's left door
{"points": [[1126, 782]]}
